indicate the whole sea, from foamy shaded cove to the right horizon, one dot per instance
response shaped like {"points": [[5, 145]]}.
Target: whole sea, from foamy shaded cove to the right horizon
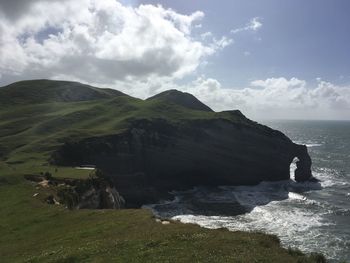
{"points": [[313, 217]]}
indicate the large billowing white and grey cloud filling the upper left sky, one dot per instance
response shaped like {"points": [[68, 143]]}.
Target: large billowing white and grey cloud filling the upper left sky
{"points": [[99, 41]]}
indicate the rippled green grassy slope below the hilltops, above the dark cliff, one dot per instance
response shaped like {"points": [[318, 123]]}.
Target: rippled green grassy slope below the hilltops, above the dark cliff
{"points": [[39, 128]]}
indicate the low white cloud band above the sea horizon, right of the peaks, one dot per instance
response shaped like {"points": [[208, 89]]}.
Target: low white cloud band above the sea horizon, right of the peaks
{"points": [[273, 98]]}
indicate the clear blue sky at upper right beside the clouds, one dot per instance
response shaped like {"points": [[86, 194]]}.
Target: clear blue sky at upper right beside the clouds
{"points": [[304, 39]]}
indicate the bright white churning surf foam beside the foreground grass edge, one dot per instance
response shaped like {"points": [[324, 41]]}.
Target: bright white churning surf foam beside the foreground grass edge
{"points": [[295, 226]]}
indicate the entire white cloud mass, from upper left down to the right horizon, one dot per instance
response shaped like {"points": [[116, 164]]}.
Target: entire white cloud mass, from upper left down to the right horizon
{"points": [[142, 51]]}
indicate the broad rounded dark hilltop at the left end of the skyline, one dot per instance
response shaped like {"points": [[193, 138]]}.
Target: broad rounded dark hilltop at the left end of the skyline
{"points": [[44, 91]]}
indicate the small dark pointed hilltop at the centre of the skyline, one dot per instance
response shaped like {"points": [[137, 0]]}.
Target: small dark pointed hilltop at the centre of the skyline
{"points": [[183, 99]]}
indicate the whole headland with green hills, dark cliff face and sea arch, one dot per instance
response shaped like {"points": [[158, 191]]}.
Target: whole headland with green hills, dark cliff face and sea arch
{"points": [[147, 147]]}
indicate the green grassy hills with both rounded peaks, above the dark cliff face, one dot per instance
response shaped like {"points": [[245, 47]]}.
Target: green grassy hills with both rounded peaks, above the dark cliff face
{"points": [[36, 116]]}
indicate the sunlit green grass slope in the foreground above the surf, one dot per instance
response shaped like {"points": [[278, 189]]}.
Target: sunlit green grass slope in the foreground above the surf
{"points": [[32, 231]]}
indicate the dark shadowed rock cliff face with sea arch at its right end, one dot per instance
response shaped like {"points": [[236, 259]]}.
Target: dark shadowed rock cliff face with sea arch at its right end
{"points": [[153, 157]]}
